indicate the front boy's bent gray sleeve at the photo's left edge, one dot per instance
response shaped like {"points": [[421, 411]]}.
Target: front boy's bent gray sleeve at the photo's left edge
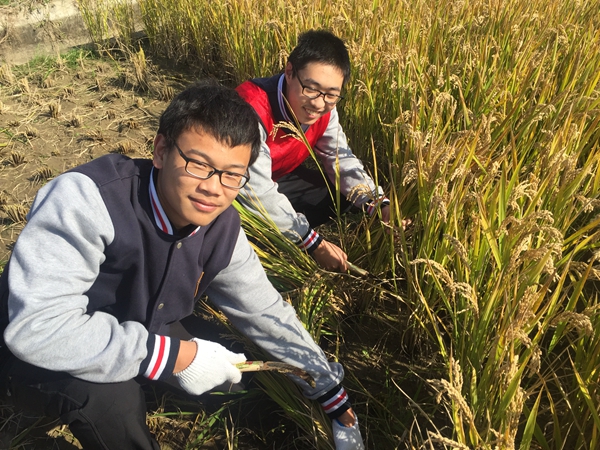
{"points": [[55, 261]]}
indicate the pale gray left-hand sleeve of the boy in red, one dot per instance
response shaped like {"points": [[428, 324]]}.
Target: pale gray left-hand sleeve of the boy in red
{"points": [[261, 196]]}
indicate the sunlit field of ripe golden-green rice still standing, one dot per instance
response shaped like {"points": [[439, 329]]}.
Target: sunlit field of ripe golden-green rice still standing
{"points": [[478, 327]]}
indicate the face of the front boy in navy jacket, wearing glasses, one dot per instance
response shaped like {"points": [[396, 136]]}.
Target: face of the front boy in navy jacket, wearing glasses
{"points": [[188, 200]]}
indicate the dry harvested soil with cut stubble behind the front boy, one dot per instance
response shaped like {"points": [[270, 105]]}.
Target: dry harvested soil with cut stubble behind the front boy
{"points": [[57, 114]]}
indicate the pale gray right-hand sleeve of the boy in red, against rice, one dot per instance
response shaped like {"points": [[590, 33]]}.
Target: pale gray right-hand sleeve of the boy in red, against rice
{"points": [[333, 151]]}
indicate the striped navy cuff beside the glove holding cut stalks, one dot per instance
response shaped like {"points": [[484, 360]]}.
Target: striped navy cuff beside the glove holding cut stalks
{"points": [[160, 360]]}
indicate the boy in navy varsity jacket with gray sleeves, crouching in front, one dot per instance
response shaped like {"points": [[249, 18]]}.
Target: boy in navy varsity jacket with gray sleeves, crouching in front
{"points": [[117, 250]]}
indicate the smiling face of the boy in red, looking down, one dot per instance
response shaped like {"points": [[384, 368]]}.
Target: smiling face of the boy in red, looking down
{"points": [[322, 77]]}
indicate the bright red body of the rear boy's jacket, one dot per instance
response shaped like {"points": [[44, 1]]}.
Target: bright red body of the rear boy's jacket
{"points": [[287, 152]]}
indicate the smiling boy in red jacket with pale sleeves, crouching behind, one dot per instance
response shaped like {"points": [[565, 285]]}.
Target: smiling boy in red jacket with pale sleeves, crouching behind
{"points": [[297, 199]]}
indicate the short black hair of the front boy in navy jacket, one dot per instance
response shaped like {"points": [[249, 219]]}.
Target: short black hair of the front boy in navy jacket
{"points": [[213, 109]]}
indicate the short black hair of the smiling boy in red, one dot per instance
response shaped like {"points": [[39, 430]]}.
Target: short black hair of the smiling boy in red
{"points": [[320, 46]]}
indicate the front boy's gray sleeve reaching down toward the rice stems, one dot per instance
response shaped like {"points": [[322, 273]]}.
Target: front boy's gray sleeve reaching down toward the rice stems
{"points": [[245, 295]]}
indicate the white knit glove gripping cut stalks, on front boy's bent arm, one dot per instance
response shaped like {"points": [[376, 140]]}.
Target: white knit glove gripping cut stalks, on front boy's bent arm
{"points": [[212, 366]]}
